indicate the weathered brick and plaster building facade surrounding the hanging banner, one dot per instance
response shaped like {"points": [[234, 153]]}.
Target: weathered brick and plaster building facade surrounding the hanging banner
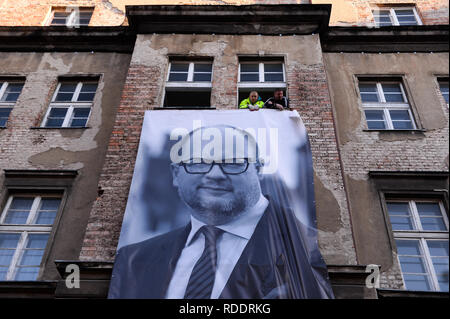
{"points": [[369, 79]]}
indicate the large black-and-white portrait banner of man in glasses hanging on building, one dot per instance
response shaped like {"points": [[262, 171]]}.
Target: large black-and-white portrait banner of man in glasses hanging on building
{"points": [[221, 205]]}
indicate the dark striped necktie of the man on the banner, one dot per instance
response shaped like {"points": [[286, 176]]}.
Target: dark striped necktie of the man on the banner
{"points": [[202, 277]]}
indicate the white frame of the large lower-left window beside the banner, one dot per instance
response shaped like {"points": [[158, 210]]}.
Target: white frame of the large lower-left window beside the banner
{"points": [[24, 230]]}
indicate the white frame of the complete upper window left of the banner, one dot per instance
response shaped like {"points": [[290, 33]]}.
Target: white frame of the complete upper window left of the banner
{"points": [[69, 105]]}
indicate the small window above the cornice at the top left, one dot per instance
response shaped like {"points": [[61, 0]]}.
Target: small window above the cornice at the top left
{"points": [[71, 16]]}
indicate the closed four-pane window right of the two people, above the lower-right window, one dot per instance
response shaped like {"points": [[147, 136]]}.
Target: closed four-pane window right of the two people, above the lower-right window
{"points": [[386, 106]]}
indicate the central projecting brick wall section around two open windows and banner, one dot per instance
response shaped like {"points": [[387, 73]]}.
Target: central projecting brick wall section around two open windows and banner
{"points": [[144, 89]]}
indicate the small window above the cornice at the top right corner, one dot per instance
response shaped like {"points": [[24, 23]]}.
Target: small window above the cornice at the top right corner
{"points": [[396, 16]]}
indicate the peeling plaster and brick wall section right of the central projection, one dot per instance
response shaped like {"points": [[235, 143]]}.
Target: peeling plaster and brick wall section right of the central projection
{"points": [[363, 151]]}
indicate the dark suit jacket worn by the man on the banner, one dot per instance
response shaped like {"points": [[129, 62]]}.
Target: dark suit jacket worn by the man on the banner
{"points": [[275, 263]]}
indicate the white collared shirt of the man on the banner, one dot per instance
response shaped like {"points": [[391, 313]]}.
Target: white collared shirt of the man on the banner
{"points": [[229, 248]]}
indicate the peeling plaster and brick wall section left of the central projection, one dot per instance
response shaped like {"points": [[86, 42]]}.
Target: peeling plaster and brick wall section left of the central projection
{"points": [[23, 145]]}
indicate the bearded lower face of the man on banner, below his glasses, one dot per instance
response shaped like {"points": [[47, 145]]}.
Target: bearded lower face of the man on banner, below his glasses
{"points": [[216, 197]]}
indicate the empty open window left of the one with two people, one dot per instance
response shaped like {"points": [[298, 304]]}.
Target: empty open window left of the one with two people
{"points": [[188, 84]]}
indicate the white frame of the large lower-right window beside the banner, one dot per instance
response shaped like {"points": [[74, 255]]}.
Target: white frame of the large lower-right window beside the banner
{"points": [[422, 236]]}
